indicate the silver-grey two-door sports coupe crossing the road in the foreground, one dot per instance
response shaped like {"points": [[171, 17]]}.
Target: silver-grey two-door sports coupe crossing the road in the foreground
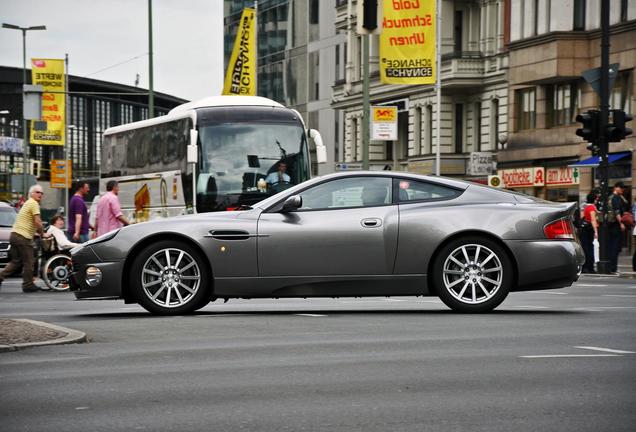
{"points": [[347, 234]]}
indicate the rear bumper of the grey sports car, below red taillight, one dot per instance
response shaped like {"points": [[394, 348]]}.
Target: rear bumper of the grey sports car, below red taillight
{"points": [[546, 264]]}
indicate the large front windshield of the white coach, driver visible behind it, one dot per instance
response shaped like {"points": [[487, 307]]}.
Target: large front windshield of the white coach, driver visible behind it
{"points": [[242, 163]]}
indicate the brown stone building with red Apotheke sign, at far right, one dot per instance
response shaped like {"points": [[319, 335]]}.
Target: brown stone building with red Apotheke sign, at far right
{"points": [[551, 44]]}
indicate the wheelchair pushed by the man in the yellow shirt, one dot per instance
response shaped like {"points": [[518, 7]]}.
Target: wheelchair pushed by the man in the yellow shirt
{"points": [[53, 264]]}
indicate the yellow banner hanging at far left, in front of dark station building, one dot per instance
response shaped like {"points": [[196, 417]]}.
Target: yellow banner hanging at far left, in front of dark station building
{"points": [[49, 73]]}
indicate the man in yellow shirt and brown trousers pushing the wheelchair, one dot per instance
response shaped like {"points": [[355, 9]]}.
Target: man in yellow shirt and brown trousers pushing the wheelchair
{"points": [[27, 223]]}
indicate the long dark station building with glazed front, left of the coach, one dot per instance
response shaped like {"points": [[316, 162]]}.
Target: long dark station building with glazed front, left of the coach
{"points": [[93, 107]]}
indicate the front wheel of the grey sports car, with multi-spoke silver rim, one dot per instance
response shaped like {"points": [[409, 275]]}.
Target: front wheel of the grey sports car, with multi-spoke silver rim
{"points": [[170, 278]]}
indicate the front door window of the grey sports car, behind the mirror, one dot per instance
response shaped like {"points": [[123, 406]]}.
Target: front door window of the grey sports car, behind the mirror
{"points": [[348, 192]]}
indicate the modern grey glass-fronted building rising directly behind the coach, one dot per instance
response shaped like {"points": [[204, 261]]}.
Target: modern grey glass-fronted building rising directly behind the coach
{"points": [[297, 46]]}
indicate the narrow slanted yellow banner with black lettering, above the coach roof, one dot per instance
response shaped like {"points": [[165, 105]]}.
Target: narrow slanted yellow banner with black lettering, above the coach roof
{"points": [[240, 78]]}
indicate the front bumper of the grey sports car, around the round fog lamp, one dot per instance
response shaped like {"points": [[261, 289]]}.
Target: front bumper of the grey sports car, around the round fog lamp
{"points": [[111, 283]]}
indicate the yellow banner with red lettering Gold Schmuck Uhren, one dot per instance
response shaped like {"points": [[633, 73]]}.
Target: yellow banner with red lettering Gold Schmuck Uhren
{"points": [[407, 42]]}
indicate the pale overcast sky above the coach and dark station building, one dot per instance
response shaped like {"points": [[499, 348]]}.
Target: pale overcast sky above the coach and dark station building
{"points": [[108, 40]]}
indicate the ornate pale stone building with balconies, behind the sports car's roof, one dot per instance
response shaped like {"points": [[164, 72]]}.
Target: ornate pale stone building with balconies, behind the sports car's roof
{"points": [[474, 106]]}
